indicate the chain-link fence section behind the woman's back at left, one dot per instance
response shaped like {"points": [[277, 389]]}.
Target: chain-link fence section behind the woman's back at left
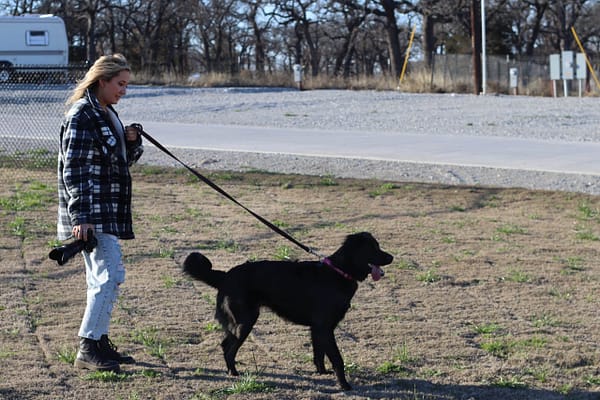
{"points": [[32, 104]]}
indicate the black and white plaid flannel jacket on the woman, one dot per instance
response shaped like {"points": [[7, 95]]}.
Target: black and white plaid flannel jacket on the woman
{"points": [[94, 184]]}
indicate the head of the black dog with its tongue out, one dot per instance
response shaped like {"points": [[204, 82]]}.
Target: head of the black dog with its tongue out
{"points": [[360, 256]]}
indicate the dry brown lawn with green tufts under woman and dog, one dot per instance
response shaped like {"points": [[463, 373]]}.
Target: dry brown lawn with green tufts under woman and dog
{"points": [[493, 293]]}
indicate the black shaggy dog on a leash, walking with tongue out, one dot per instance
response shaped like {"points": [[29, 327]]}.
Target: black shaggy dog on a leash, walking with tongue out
{"points": [[315, 294]]}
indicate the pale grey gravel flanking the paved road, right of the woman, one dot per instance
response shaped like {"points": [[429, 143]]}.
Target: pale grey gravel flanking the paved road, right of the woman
{"points": [[570, 119]]}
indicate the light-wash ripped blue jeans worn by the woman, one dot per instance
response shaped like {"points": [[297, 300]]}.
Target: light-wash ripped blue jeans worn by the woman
{"points": [[104, 272]]}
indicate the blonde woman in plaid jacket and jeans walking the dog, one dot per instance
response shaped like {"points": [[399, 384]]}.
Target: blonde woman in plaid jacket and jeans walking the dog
{"points": [[94, 188]]}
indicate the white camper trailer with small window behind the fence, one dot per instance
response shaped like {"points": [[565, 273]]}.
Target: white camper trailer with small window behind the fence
{"points": [[32, 40]]}
